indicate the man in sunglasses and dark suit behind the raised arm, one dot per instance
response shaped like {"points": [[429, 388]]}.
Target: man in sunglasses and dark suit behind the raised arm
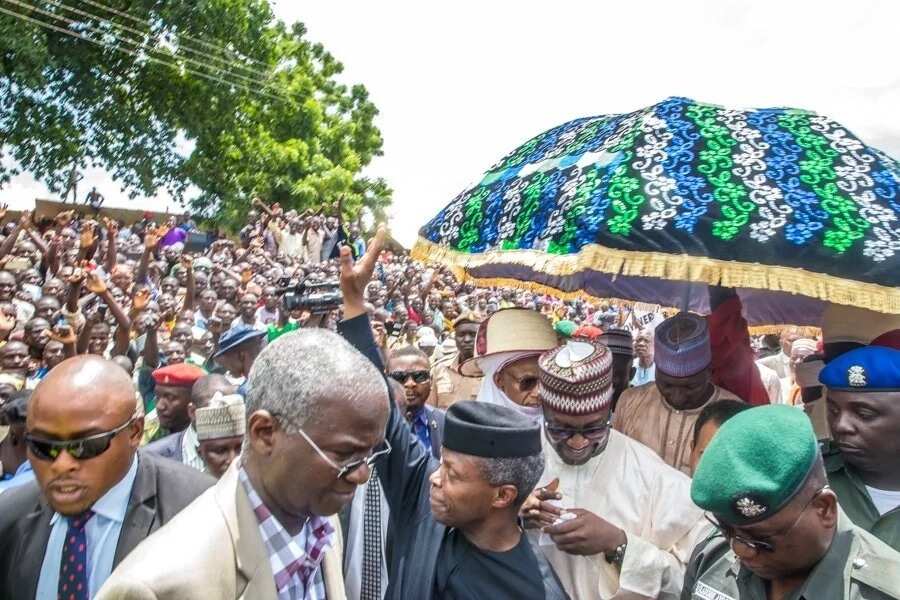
{"points": [[409, 367]]}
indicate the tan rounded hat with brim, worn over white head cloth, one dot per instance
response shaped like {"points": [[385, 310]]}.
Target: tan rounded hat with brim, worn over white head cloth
{"points": [[510, 330]]}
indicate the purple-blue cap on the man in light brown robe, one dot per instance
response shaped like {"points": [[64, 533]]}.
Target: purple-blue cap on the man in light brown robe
{"points": [[681, 347]]}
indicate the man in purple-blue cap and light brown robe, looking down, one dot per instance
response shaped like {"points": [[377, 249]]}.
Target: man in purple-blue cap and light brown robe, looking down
{"points": [[662, 414]]}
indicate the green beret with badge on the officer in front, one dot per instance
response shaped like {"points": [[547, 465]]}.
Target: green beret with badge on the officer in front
{"points": [[756, 463]]}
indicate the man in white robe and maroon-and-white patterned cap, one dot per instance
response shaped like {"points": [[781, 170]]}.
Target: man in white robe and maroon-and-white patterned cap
{"points": [[618, 522]]}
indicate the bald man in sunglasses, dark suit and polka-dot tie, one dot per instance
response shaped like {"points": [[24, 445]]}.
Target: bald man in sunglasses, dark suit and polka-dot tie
{"points": [[94, 499]]}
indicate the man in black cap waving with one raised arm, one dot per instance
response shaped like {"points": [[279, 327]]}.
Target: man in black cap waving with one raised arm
{"points": [[460, 534]]}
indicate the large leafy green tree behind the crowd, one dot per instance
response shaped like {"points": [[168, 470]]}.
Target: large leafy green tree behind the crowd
{"points": [[119, 83]]}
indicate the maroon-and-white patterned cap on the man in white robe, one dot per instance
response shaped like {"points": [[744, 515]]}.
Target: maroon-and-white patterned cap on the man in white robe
{"points": [[576, 379]]}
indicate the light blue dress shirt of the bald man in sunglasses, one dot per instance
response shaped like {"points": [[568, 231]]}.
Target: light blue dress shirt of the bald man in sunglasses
{"points": [[102, 532]]}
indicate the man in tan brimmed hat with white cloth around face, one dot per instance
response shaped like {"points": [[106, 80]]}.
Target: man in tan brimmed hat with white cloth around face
{"points": [[506, 353]]}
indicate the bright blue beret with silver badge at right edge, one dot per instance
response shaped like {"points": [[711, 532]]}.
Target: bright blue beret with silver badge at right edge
{"points": [[869, 369]]}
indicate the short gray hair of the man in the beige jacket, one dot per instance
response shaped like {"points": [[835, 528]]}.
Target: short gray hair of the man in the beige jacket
{"points": [[297, 373]]}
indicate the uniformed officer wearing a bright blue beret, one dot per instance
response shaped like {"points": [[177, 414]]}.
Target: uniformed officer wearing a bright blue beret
{"points": [[863, 457]]}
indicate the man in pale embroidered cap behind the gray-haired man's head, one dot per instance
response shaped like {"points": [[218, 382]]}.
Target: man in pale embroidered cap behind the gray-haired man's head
{"points": [[220, 431]]}
